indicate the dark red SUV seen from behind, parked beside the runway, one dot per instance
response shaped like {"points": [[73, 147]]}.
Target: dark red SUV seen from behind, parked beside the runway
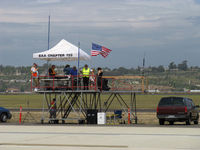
{"points": [[180, 109]]}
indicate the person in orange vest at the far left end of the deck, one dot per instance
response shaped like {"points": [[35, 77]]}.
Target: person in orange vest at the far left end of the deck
{"points": [[35, 75]]}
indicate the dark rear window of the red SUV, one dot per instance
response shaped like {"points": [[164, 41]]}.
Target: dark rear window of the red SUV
{"points": [[171, 101]]}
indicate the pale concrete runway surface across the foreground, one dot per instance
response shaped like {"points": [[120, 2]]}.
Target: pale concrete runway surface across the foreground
{"points": [[29, 137]]}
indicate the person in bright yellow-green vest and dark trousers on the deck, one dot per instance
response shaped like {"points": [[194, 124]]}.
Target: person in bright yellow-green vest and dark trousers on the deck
{"points": [[86, 74]]}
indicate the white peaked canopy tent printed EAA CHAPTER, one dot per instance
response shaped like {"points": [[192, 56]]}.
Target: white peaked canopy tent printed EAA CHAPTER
{"points": [[63, 51]]}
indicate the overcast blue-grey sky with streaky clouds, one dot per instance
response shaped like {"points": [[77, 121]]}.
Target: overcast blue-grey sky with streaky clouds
{"points": [[163, 30]]}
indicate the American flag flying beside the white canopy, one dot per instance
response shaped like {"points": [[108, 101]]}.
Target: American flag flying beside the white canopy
{"points": [[97, 49]]}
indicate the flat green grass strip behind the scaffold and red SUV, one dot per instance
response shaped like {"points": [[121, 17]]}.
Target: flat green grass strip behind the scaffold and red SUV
{"points": [[36, 100]]}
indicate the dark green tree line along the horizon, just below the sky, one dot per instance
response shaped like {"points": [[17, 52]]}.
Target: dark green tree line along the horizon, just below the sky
{"points": [[24, 71]]}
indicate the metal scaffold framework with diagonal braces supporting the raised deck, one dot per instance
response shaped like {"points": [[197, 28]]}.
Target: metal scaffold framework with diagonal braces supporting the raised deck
{"points": [[73, 106]]}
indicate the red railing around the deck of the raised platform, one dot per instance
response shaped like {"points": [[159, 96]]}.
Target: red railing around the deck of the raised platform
{"points": [[105, 83]]}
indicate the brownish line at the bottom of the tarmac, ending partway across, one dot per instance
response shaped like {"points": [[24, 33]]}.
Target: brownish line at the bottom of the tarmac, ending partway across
{"points": [[64, 145]]}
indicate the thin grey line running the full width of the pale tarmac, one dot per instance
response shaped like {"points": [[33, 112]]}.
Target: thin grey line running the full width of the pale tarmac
{"points": [[100, 134]]}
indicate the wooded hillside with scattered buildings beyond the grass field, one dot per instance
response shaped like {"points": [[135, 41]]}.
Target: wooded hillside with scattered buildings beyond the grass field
{"points": [[174, 75]]}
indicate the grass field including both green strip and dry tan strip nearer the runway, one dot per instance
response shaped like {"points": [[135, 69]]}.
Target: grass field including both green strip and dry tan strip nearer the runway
{"points": [[36, 101]]}
